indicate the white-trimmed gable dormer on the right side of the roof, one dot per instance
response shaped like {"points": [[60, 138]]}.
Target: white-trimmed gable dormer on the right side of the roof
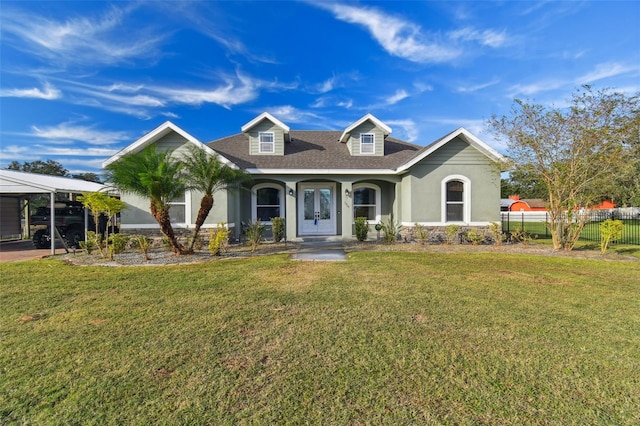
{"points": [[366, 136]]}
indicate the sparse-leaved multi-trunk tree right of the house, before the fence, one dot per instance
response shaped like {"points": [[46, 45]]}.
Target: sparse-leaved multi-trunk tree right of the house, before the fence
{"points": [[575, 151]]}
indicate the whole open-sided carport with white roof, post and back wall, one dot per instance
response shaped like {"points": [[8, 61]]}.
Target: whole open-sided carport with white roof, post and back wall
{"points": [[16, 186]]}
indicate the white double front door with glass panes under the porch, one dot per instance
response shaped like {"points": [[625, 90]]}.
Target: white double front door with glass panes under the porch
{"points": [[317, 209]]}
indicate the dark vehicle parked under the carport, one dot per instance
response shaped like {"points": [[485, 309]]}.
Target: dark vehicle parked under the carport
{"points": [[69, 221]]}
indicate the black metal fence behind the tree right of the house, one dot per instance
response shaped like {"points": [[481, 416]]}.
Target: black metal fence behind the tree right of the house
{"points": [[536, 224]]}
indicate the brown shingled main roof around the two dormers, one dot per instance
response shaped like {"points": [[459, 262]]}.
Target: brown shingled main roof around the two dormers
{"points": [[315, 150]]}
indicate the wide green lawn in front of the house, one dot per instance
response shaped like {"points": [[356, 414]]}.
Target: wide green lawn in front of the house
{"points": [[385, 338]]}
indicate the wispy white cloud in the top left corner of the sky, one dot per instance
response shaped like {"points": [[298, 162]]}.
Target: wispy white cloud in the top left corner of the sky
{"points": [[84, 40]]}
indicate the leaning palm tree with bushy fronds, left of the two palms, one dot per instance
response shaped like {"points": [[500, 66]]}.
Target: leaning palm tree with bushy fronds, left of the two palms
{"points": [[154, 175]]}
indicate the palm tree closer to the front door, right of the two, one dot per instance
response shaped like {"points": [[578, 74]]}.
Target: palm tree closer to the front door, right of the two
{"points": [[207, 174]]}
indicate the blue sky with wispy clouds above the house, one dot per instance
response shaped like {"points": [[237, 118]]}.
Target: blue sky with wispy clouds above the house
{"points": [[81, 80]]}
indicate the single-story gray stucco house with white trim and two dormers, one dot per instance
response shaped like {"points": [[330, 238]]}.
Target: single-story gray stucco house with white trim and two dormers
{"points": [[319, 181]]}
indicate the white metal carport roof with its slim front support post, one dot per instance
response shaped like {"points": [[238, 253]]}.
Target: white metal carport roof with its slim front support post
{"points": [[21, 183]]}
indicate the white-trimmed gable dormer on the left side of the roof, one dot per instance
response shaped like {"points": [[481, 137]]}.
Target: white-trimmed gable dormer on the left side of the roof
{"points": [[267, 135]]}
